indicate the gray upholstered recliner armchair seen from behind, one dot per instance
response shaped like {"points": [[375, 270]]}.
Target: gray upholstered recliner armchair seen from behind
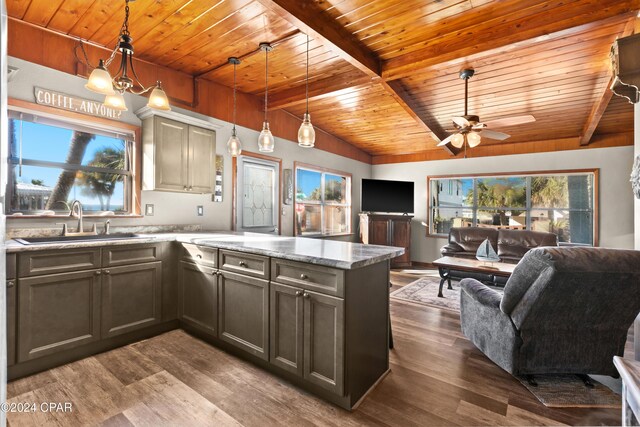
{"points": [[564, 310]]}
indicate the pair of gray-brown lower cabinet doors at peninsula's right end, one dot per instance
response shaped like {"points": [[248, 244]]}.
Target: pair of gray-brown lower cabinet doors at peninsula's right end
{"points": [[307, 335]]}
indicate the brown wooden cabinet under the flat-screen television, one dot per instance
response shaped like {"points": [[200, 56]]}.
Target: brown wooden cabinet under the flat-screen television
{"points": [[388, 230]]}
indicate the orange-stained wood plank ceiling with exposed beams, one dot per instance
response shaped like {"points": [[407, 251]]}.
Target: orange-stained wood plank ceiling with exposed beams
{"points": [[383, 73]]}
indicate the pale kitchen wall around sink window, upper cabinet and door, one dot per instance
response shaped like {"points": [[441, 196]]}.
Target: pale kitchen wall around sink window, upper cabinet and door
{"points": [[177, 208]]}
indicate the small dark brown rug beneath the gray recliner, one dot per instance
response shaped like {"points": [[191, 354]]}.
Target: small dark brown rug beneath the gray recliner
{"points": [[569, 391]]}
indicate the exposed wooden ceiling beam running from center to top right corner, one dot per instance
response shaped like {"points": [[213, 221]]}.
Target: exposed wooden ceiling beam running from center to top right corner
{"points": [[497, 33]]}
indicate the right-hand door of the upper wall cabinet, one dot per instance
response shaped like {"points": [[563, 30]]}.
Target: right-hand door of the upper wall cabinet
{"points": [[202, 143]]}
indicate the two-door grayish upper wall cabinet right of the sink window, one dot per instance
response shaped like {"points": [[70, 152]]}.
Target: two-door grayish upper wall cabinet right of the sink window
{"points": [[177, 157]]}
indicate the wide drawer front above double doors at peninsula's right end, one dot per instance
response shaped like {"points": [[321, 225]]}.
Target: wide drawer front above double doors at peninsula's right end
{"points": [[317, 278]]}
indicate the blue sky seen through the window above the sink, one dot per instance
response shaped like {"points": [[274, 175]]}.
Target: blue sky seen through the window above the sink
{"points": [[50, 143]]}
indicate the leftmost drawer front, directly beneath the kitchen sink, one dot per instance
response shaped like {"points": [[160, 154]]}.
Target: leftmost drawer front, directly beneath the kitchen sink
{"points": [[59, 261]]}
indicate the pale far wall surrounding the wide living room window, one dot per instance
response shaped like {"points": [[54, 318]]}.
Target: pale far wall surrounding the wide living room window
{"points": [[616, 205]]}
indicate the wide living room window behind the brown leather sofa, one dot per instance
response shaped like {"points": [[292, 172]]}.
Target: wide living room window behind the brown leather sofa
{"points": [[563, 203]]}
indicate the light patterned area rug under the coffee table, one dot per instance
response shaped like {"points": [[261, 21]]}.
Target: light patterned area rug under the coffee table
{"points": [[424, 291]]}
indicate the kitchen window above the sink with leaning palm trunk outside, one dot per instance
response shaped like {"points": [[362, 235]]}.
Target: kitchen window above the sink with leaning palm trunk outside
{"points": [[52, 163]]}
